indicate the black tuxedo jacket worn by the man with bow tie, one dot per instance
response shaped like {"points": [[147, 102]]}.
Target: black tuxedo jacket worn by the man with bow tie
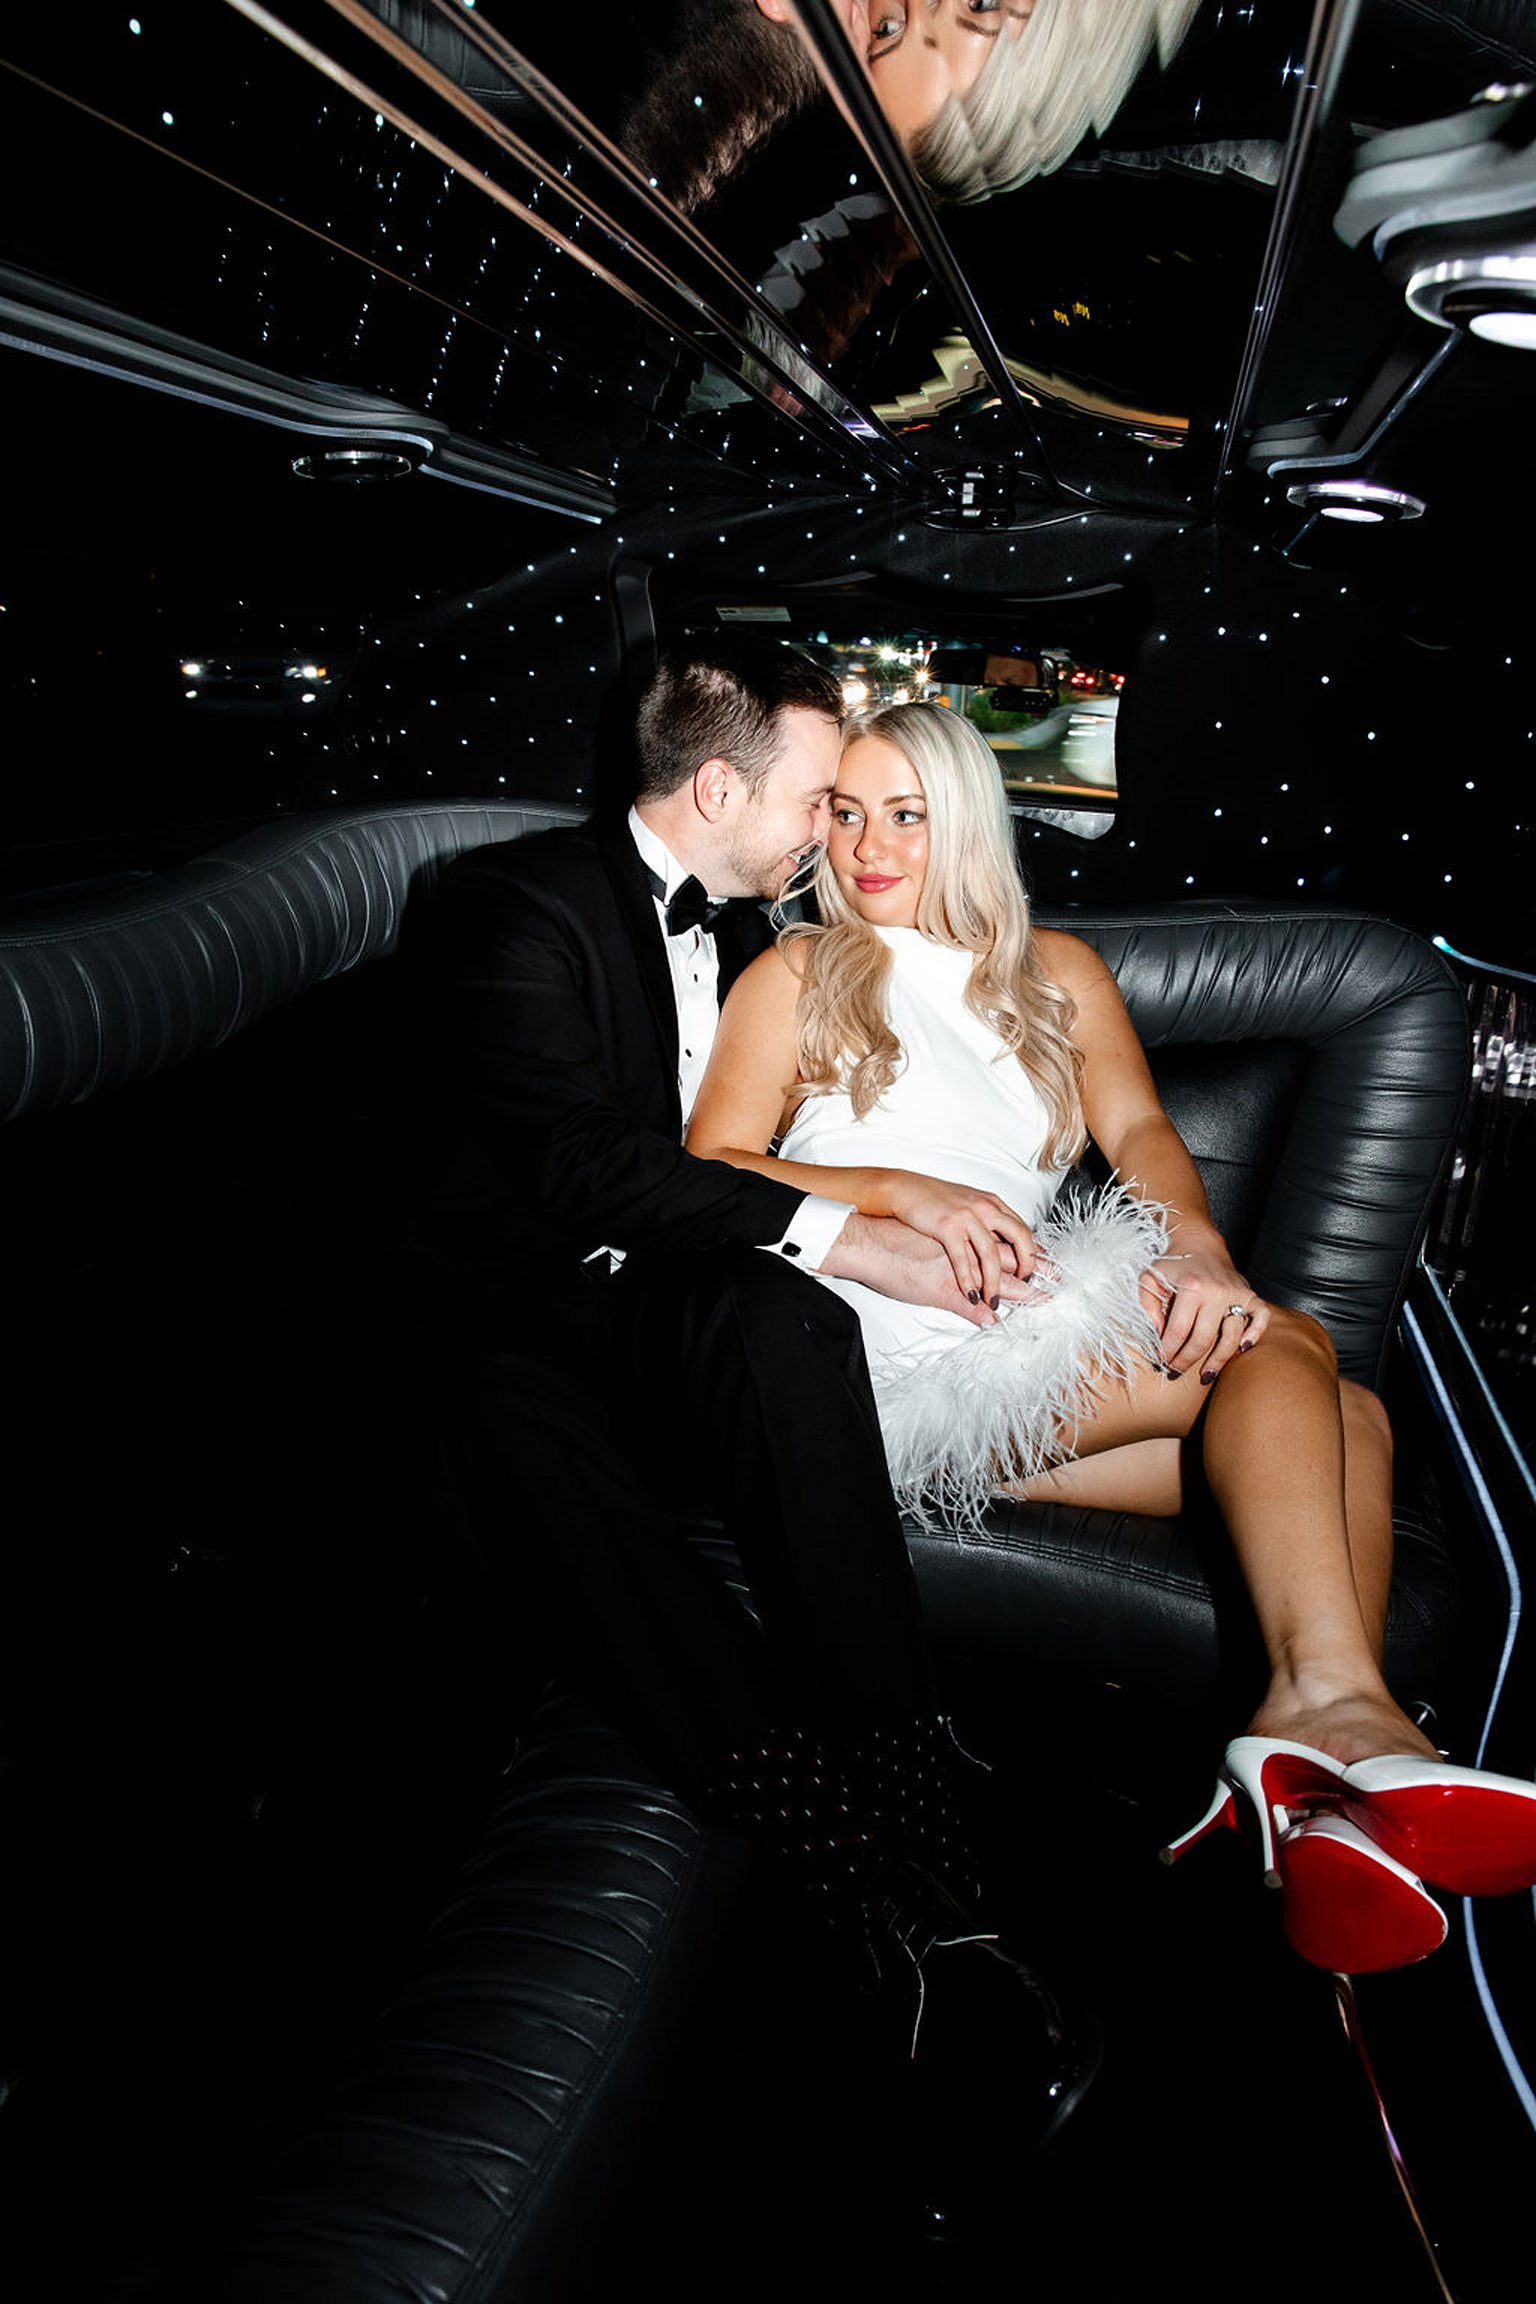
{"points": [[554, 1033]]}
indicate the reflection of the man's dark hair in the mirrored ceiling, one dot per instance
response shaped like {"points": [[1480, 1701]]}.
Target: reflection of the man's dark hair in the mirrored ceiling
{"points": [[727, 82]]}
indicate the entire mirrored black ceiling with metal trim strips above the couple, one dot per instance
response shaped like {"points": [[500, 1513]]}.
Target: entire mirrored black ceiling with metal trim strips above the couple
{"points": [[1010, 257]]}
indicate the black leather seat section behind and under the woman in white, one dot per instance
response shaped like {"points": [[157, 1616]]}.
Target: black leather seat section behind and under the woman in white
{"points": [[1316, 1066]]}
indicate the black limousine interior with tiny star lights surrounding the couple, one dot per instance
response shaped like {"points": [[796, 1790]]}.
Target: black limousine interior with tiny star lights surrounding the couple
{"points": [[388, 381]]}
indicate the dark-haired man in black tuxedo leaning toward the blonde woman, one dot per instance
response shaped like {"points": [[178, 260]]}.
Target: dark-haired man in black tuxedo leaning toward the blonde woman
{"points": [[644, 1333]]}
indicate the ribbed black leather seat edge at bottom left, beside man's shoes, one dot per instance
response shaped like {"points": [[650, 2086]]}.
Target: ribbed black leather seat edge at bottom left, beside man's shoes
{"points": [[496, 2102]]}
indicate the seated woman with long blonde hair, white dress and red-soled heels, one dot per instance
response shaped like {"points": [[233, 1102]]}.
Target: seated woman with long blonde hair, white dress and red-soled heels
{"points": [[883, 1036]]}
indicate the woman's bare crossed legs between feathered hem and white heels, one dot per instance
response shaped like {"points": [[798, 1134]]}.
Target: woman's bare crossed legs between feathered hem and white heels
{"points": [[1300, 1469]]}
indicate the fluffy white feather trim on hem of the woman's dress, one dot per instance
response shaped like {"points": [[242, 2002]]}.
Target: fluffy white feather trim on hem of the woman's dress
{"points": [[1007, 1402]]}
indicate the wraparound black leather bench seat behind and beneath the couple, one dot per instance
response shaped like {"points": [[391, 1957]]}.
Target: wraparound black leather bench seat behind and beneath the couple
{"points": [[1314, 1063]]}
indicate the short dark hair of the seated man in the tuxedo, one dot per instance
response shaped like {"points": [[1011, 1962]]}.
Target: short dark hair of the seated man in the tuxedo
{"points": [[720, 702]]}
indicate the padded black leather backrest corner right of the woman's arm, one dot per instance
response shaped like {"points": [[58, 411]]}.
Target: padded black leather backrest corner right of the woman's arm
{"points": [[1383, 1063]]}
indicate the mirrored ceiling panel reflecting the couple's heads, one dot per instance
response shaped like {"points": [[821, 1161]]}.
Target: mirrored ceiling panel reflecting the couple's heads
{"points": [[1097, 174]]}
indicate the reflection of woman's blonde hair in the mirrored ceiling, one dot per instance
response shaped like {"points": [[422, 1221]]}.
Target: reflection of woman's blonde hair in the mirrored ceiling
{"points": [[1040, 96]]}
